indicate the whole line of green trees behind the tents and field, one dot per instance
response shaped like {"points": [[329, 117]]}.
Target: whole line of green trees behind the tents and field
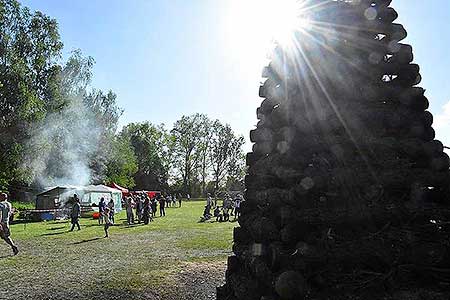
{"points": [[55, 128]]}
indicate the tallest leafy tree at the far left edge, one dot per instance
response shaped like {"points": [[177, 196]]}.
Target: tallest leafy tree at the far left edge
{"points": [[29, 46]]}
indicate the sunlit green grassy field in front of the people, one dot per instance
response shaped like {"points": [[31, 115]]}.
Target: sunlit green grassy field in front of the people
{"points": [[173, 257]]}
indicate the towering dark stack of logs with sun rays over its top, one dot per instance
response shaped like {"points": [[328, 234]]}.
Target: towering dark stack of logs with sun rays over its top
{"points": [[347, 189]]}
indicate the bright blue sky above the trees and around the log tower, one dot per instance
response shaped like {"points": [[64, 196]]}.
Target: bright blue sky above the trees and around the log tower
{"points": [[168, 58]]}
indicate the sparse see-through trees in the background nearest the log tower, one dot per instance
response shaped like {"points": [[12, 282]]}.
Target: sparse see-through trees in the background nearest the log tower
{"points": [[206, 150]]}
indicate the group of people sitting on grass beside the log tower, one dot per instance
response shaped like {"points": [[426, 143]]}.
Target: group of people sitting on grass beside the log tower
{"points": [[230, 207]]}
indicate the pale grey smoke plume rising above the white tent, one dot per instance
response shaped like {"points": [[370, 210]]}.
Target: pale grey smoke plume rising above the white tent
{"points": [[60, 149]]}
